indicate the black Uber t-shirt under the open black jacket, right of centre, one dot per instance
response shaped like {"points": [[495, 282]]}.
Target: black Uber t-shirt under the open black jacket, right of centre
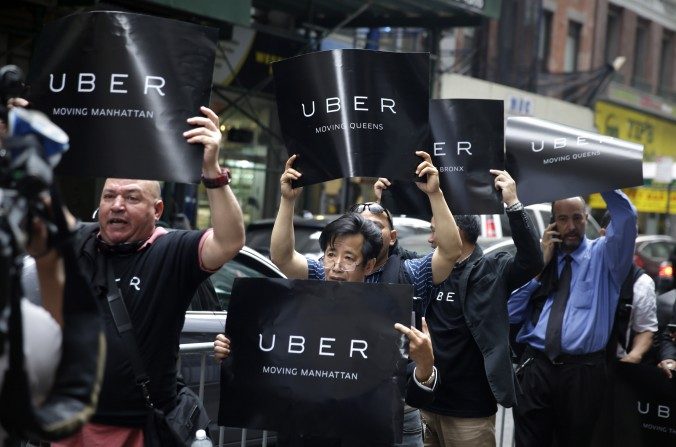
{"points": [[463, 389]]}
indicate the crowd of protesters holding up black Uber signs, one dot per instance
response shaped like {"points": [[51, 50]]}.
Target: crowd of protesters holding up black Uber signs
{"points": [[570, 300]]}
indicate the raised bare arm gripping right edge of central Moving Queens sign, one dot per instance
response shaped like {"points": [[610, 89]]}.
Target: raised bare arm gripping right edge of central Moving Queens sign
{"points": [[447, 236]]}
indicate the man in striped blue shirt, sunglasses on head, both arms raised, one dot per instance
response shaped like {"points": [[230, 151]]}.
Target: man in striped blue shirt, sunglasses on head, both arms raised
{"points": [[422, 273]]}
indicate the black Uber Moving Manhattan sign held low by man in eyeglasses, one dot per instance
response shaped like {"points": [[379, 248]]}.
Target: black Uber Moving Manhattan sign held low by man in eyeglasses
{"points": [[317, 358]]}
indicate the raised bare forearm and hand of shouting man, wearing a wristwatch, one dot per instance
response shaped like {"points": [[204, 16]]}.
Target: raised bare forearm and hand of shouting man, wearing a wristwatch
{"points": [[227, 237]]}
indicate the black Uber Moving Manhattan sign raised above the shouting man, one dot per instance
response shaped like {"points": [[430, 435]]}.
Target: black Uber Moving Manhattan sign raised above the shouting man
{"points": [[122, 86]]}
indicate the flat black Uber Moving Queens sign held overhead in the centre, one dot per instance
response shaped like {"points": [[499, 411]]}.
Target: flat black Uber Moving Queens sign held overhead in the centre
{"points": [[352, 113]]}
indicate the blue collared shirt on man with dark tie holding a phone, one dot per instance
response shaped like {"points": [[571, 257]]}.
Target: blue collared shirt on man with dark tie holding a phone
{"points": [[599, 267]]}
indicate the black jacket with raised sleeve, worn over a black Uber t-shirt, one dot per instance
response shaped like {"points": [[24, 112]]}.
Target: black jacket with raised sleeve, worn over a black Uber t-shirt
{"points": [[484, 288]]}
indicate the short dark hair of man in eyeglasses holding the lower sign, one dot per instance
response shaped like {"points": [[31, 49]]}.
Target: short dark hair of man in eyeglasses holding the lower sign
{"points": [[349, 224]]}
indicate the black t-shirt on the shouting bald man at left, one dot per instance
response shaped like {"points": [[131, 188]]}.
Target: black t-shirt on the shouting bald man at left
{"points": [[157, 284]]}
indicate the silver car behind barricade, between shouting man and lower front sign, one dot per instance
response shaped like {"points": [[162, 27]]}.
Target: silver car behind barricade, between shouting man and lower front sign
{"points": [[205, 319]]}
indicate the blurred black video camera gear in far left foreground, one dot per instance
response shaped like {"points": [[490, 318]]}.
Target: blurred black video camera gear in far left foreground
{"points": [[29, 150]]}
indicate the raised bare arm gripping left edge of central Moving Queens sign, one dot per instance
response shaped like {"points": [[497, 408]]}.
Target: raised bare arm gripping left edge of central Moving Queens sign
{"points": [[282, 240]]}
